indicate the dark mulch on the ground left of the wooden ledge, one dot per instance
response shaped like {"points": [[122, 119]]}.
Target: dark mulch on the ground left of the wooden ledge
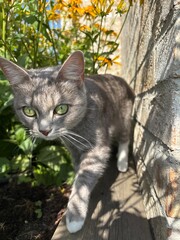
{"points": [[31, 213]]}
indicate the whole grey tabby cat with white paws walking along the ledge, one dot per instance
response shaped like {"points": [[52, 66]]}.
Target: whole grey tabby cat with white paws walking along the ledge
{"points": [[87, 113]]}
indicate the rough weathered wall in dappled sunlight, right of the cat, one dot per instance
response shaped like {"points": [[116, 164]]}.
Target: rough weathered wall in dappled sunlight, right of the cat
{"points": [[150, 50]]}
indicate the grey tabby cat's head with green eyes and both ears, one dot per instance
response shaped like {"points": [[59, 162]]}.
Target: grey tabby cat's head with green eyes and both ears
{"points": [[49, 101]]}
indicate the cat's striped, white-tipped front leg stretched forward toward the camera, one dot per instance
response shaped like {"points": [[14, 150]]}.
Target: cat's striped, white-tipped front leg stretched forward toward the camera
{"points": [[91, 169]]}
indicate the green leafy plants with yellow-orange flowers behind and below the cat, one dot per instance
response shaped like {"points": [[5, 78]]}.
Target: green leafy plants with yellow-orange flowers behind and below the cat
{"points": [[43, 33]]}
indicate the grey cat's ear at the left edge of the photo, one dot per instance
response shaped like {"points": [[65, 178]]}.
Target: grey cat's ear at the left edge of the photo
{"points": [[15, 74]]}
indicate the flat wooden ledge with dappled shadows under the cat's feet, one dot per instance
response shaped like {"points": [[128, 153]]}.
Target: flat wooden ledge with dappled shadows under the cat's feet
{"points": [[115, 209]]}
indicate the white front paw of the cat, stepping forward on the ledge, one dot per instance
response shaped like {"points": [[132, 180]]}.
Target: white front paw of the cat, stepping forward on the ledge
{"points": [[74, 222]]}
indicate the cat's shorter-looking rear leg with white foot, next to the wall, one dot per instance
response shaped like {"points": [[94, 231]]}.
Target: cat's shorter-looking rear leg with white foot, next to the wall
{"points": [[122, 156]]}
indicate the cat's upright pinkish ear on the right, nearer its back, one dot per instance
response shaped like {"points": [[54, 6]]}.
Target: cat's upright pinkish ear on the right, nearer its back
{"points": [[73, 68]]}
